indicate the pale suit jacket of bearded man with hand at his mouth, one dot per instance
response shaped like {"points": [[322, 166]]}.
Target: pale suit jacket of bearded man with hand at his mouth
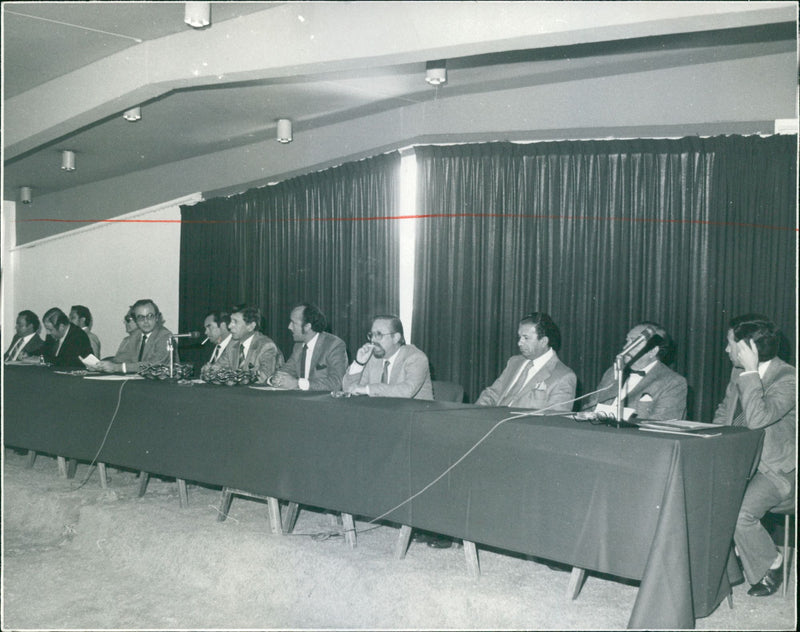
{"points": [[410, 376]]}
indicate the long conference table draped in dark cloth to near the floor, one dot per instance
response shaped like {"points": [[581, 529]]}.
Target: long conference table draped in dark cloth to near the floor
{"points": [[655, 507]]}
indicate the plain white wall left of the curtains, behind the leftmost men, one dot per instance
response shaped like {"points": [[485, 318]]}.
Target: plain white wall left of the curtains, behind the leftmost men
{"points": [[105, 266]]}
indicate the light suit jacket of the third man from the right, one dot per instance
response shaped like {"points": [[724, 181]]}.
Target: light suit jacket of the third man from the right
{"points": [[552, 386]]}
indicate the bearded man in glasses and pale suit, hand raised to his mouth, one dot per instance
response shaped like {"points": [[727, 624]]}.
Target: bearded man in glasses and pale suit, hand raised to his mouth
{"points": [[388, 367]]}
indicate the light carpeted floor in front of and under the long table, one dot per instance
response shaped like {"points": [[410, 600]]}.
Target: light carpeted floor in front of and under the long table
{"points": [[80, 557]]}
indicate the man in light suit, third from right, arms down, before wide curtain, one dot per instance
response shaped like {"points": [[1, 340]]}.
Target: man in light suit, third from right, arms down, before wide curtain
{"points": [[536, 378]]}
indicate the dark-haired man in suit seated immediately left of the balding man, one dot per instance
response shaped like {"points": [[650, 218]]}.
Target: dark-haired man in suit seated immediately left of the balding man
{"points": [[250, 349]]}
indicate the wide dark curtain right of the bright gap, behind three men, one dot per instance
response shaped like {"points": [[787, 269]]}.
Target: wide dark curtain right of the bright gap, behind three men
{"points": [[602, 235]]}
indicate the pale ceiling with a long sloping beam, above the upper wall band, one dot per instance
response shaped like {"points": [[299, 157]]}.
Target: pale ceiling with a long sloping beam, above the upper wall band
{"points": [[70, 69]]}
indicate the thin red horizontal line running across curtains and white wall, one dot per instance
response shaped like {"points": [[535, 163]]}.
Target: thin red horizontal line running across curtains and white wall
{"points": [[424, 216]]}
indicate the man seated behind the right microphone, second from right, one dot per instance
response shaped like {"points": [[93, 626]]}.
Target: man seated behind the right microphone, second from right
{"points": [[650, 387]]}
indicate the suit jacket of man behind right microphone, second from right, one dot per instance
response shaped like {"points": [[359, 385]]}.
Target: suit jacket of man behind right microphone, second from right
{"points": [[663, 390]]}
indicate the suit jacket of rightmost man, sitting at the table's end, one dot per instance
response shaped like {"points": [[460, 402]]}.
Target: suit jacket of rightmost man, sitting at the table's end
{"points": [[767, 403]]}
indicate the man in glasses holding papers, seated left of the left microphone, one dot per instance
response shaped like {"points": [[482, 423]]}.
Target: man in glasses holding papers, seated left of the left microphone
{"points": [[147, 346]]}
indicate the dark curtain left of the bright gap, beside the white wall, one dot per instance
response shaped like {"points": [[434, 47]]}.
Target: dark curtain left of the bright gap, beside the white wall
{"points": [[325, 238]]}
